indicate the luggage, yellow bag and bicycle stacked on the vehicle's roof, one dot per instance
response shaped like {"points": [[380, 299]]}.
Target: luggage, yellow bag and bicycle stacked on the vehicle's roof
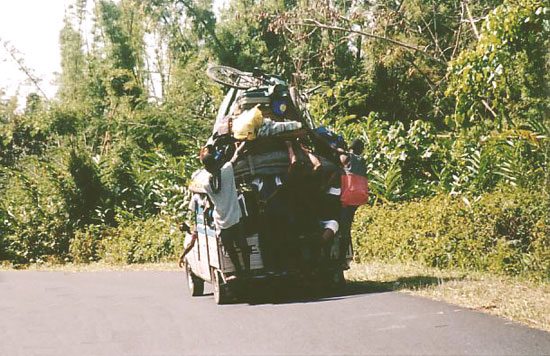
{"points": [[263, 110]]}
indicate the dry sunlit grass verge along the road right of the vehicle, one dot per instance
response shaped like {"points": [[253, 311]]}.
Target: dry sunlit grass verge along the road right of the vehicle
{"points": [[516, 299]]}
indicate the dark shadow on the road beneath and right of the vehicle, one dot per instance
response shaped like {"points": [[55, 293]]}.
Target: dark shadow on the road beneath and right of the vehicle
{"points": [[282, 293]]}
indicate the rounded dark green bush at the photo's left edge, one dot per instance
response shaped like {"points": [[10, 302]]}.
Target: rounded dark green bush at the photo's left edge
{"points": [[36, 225]]}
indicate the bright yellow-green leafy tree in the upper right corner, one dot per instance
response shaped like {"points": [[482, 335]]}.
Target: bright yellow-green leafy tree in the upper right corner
{"points": [[502, 82]]}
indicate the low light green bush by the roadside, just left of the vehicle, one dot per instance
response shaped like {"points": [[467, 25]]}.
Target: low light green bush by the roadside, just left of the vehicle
{"points": [[140, 241]]}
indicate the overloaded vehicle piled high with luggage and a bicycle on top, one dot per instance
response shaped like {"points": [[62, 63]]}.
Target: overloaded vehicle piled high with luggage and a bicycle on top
{"points": [[281, 200]]}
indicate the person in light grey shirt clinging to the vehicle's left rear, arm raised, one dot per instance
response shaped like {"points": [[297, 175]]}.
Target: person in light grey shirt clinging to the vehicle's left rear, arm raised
{"points": [[222, 192]]}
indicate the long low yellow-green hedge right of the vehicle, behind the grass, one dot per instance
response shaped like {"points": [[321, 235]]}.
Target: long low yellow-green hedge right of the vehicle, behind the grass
{"points": [[505, 232]]}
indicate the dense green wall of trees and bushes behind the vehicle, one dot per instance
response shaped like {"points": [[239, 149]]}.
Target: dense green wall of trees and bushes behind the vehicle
{"points": [[451, 98]]}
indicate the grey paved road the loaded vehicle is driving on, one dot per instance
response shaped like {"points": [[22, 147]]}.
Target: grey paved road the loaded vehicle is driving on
{"points": [[150, 313]]}
